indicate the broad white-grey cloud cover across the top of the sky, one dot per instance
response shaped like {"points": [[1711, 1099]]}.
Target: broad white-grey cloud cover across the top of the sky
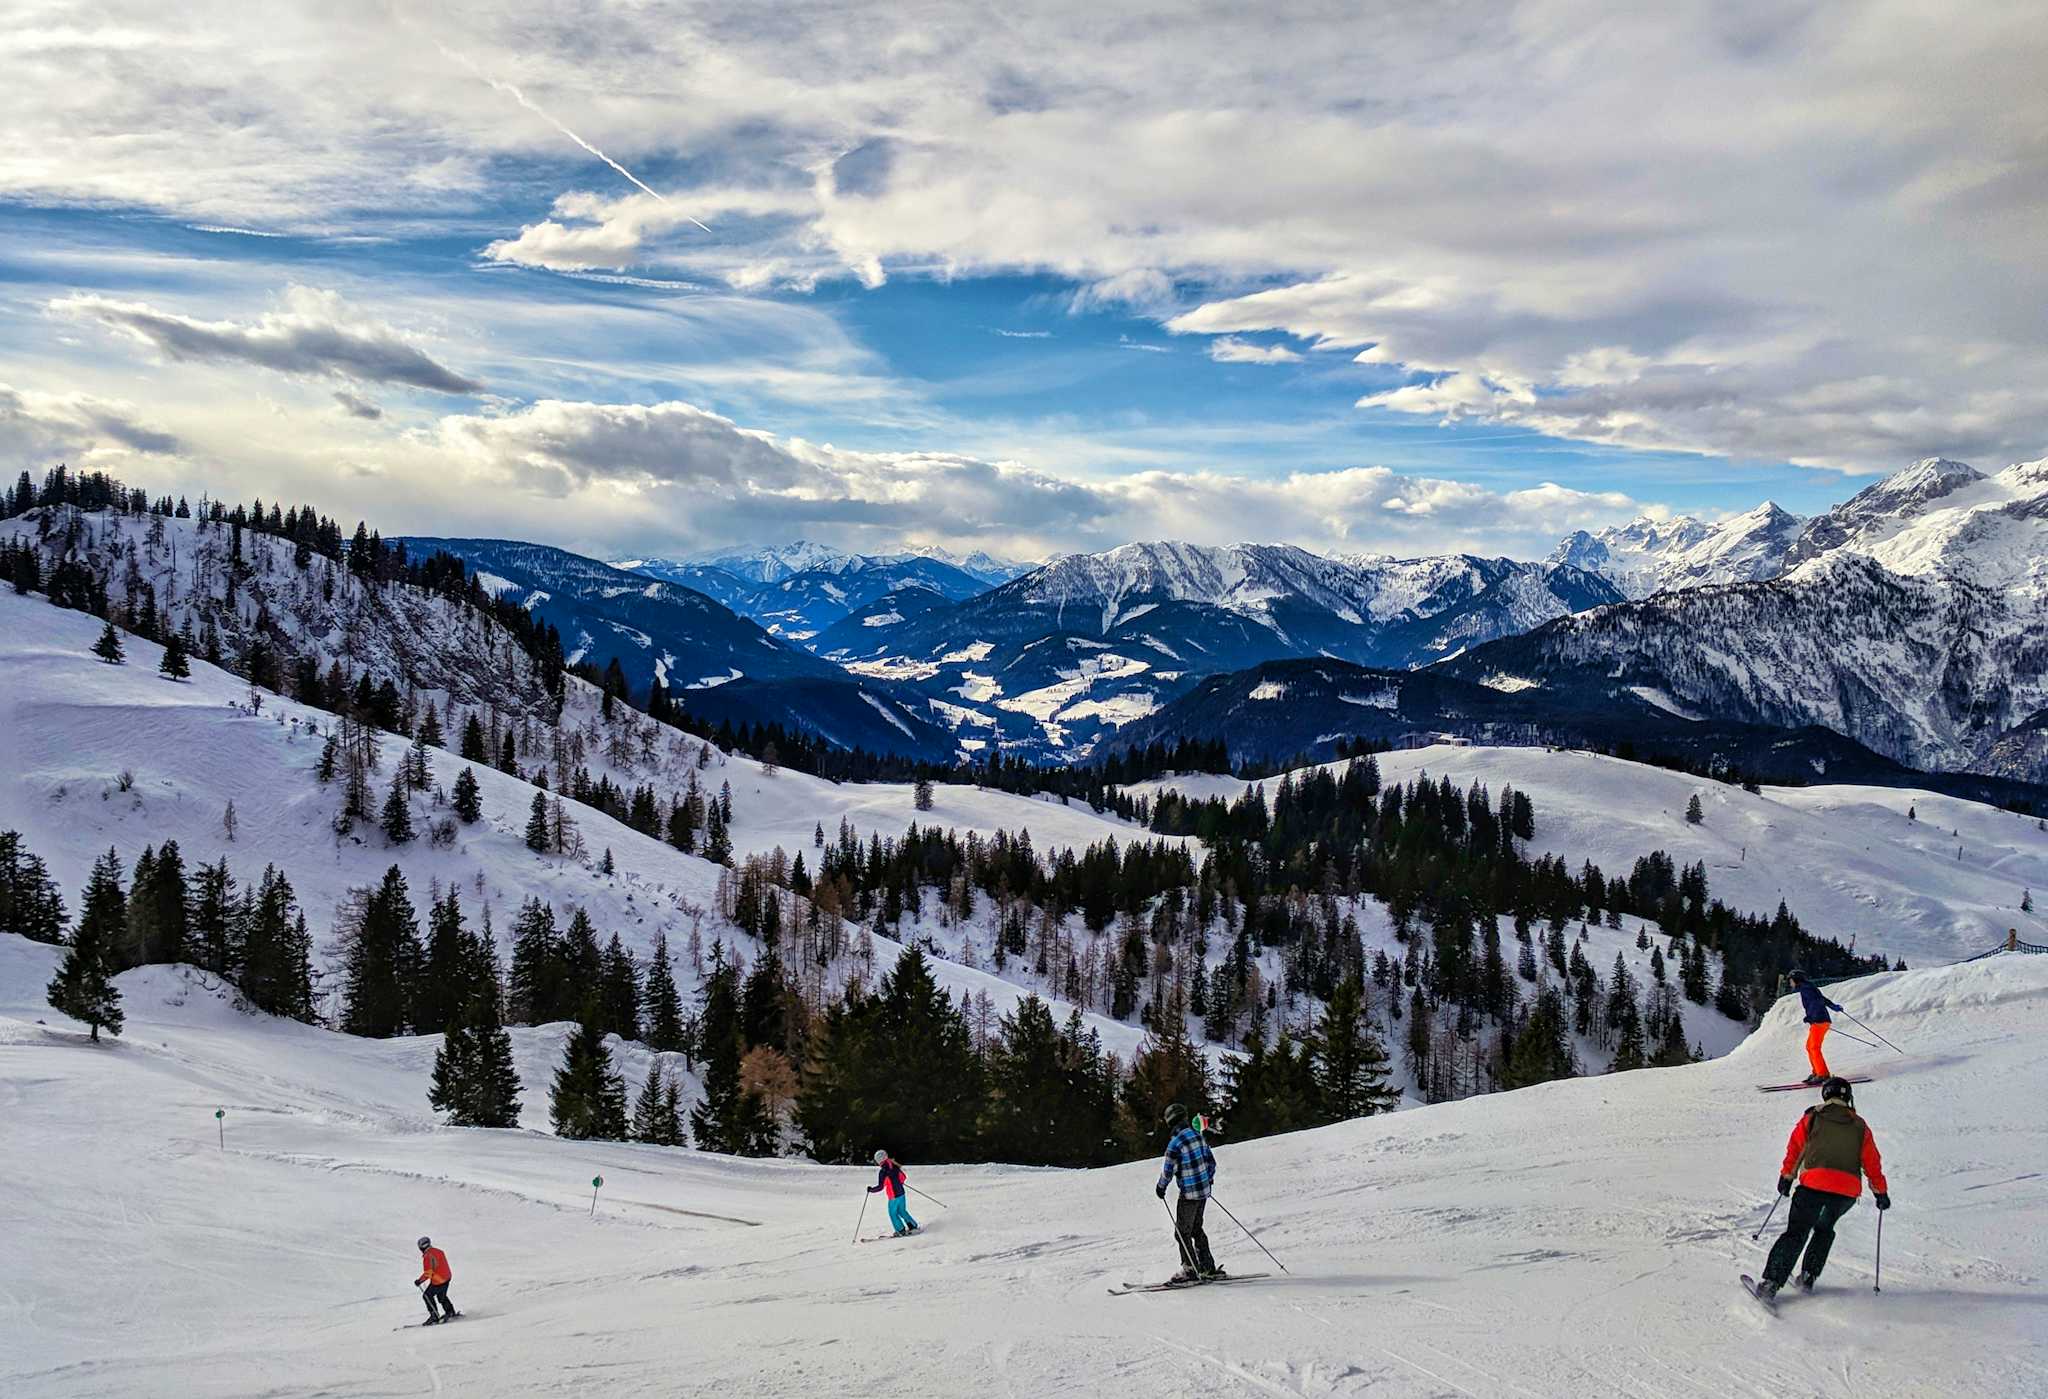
{"points": [[1742, 228]]}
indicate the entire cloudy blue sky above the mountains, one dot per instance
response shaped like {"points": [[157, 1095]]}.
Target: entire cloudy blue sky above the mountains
{"points": [[1023, 284]]}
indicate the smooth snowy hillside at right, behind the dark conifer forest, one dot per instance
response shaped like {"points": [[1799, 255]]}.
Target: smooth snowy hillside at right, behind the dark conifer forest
{"points": [[1875, 865]]}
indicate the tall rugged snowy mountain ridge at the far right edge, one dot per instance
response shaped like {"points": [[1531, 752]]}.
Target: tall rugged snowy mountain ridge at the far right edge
{"points": [[1914, 620]]}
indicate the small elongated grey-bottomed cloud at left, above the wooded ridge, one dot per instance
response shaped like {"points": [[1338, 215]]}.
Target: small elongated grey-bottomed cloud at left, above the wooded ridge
{"points": [[316, 333]]}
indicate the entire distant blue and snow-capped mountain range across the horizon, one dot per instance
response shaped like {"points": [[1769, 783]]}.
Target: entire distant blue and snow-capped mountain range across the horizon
{"points": [[1912, 620]]}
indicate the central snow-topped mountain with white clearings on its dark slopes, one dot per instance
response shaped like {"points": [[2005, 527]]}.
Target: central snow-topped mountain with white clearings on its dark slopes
{"points": [[1054, 661]]}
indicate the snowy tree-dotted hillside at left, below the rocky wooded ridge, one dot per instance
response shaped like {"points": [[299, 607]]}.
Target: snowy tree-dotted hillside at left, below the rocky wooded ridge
{"points": [[95, 757]]}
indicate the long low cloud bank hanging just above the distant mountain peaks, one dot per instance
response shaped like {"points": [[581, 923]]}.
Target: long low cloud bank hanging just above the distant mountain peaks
{"points": [[667, 474]]}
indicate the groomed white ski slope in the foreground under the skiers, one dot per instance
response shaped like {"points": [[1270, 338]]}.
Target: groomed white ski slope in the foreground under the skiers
{"points": [[1570, 1240]]}
